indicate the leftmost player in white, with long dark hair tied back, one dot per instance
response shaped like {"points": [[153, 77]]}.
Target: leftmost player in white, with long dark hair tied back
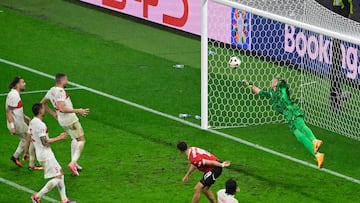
{"points": [[17, 121]]}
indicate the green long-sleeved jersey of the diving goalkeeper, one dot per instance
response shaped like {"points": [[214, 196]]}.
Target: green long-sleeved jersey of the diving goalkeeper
{"points": [[281, 101]]}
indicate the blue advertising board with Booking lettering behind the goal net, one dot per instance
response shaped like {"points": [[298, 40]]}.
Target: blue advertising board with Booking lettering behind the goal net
{"points": [[293, 45]]}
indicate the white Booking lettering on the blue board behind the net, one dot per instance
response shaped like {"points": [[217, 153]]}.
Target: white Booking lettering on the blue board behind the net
{"points": [[317, 47]]}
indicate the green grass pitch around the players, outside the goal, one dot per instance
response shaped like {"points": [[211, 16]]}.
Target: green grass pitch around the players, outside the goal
{"points": [[130, 154]]}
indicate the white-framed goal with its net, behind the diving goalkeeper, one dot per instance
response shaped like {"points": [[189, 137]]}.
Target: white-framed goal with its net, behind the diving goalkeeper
{"points": [[316, 50]]}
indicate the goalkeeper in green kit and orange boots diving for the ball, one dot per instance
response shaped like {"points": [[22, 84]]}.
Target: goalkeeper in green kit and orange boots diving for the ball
{"points": [[281, 103]]}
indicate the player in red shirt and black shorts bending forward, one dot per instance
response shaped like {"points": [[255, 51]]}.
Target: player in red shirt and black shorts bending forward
{"points": [[205, 162]]}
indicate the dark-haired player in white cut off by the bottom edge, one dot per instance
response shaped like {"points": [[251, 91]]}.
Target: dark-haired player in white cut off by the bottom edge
{"points": [[227, 195]]}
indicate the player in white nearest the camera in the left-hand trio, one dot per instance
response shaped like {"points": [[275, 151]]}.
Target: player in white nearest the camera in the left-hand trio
{"points": [[39, 136]]}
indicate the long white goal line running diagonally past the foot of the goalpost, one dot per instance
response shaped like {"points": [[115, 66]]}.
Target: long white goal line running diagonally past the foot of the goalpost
{"points": [[354, 180]]}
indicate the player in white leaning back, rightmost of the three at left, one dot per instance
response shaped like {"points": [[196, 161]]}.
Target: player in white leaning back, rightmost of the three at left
{"points": [[66, 116]]}
